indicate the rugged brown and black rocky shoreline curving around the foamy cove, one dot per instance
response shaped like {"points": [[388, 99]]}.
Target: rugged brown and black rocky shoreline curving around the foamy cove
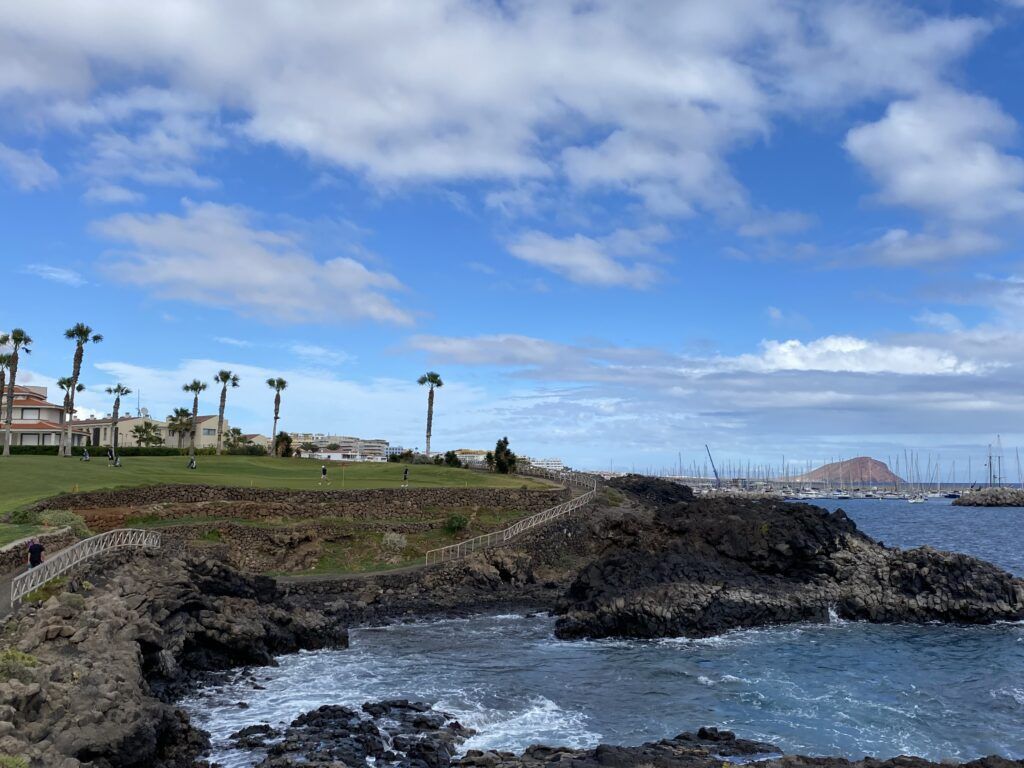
{"points": [[92, 674]]}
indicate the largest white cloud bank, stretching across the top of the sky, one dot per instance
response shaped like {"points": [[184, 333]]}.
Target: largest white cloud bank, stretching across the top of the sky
{"points": [[598, 95]]}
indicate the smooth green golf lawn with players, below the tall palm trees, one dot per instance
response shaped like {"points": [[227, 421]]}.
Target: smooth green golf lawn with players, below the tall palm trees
{"points": [[25, 480]]}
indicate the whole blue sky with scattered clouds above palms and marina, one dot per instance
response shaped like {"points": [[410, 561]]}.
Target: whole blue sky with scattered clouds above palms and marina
{"points": [[620, 232]]}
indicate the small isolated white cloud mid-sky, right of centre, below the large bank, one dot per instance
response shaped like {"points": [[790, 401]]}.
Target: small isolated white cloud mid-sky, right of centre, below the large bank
{"points": [[605, 262]]}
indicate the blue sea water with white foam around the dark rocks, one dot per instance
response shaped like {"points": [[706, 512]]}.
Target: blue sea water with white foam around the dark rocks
{"points": [[842, 689]]}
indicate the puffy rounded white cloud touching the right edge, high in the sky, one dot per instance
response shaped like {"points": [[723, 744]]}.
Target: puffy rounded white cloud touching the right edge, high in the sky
{"points": [[940, 153]]}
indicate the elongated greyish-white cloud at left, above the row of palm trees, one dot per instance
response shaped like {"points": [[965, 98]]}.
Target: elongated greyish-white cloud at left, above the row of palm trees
{"points": [[215, 255]]}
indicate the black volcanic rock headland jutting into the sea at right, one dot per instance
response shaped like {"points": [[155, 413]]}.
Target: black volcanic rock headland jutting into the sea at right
{"points": [[709, 566]]}
